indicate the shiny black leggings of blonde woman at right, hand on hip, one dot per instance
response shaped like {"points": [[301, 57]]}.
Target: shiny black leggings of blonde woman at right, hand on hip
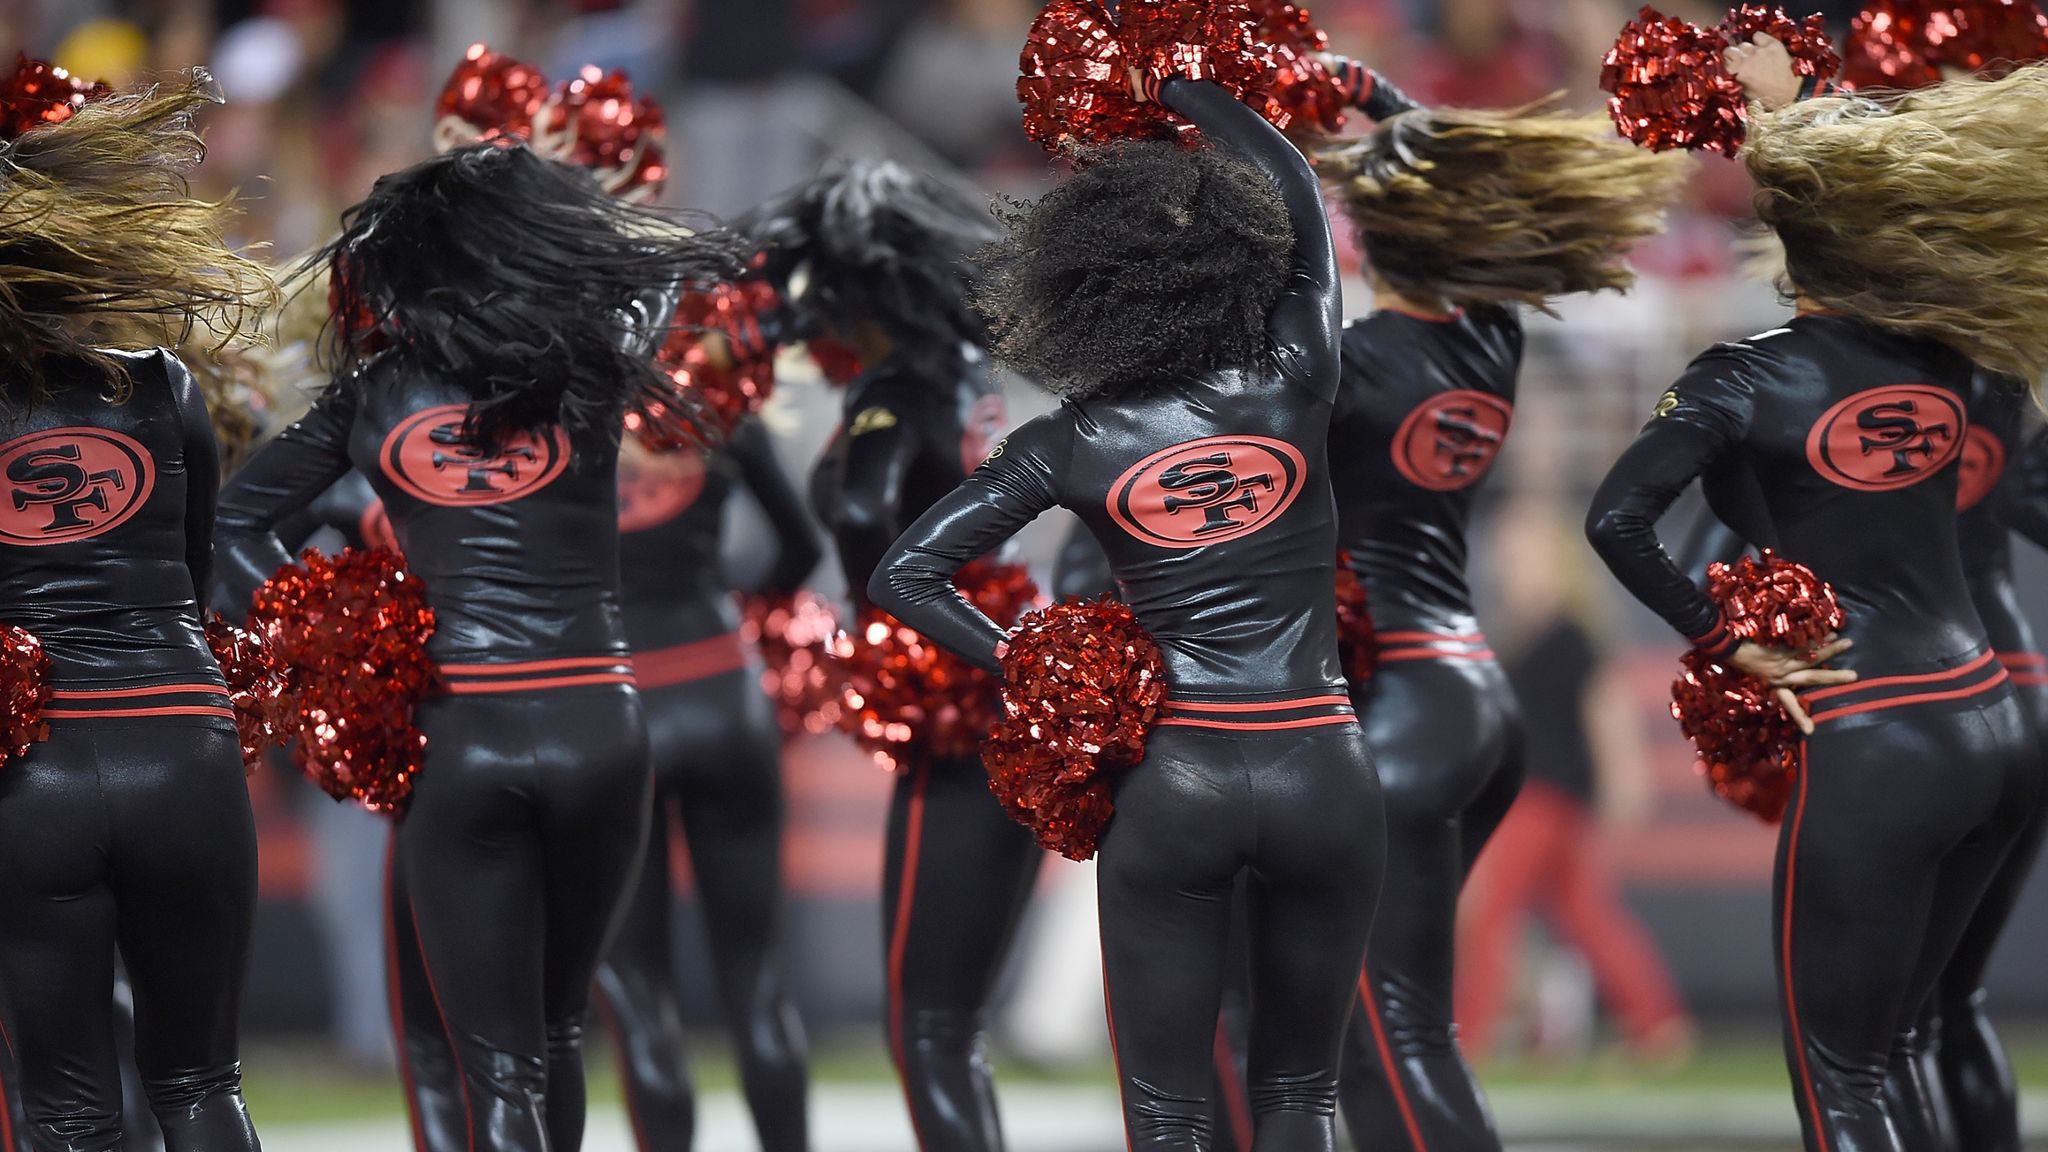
{"points": [[1897, 829]]}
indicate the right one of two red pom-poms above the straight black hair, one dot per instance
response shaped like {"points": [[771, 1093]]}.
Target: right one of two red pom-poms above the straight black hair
{"points": [[599, 124]]}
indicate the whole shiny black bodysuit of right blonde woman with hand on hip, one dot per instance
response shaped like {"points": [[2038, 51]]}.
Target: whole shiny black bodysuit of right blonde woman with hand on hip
{"points": [[1836, 442]]}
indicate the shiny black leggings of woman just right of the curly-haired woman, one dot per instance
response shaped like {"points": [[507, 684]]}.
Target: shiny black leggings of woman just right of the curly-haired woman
{"points": [[1449, 745]]}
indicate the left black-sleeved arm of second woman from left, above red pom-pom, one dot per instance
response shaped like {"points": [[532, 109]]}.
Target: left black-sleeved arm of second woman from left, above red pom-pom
{"points": [[280, 481]]}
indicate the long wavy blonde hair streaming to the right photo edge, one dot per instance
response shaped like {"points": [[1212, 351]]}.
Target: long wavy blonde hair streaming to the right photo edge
{"points": [[1924, 214]]}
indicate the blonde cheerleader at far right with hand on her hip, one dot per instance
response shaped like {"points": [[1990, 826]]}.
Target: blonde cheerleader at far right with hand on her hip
{"points": [[1914, 237]]}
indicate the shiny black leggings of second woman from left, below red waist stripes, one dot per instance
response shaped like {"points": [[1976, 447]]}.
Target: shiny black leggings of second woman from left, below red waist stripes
{"points": [[525, 833]]}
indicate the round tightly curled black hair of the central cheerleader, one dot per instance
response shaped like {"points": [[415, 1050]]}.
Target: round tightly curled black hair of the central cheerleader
{"points": [[1152, 263]]}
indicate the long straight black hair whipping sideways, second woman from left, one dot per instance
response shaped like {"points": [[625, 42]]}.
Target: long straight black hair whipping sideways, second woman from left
{"points": [[513, 278]]}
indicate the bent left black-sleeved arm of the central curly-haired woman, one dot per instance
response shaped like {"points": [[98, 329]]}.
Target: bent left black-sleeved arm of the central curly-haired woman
{"points": [[1007, 493]]}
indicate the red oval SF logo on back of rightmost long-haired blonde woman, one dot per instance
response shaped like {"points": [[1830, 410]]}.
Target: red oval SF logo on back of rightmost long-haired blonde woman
{"points": [[1887, 438]]}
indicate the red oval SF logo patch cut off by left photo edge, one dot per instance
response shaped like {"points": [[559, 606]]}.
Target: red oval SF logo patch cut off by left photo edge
{"points": [[71, 485]]}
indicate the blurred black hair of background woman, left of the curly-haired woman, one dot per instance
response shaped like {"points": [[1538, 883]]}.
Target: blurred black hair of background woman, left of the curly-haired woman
{"points": [[884, 245]]}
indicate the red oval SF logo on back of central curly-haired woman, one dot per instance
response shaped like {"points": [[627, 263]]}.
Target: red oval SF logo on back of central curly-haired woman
{"points": [[1207, 491]]}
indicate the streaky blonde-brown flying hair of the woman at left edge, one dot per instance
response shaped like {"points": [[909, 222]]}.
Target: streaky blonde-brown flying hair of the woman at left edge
{"points": [[103, 245]]}
